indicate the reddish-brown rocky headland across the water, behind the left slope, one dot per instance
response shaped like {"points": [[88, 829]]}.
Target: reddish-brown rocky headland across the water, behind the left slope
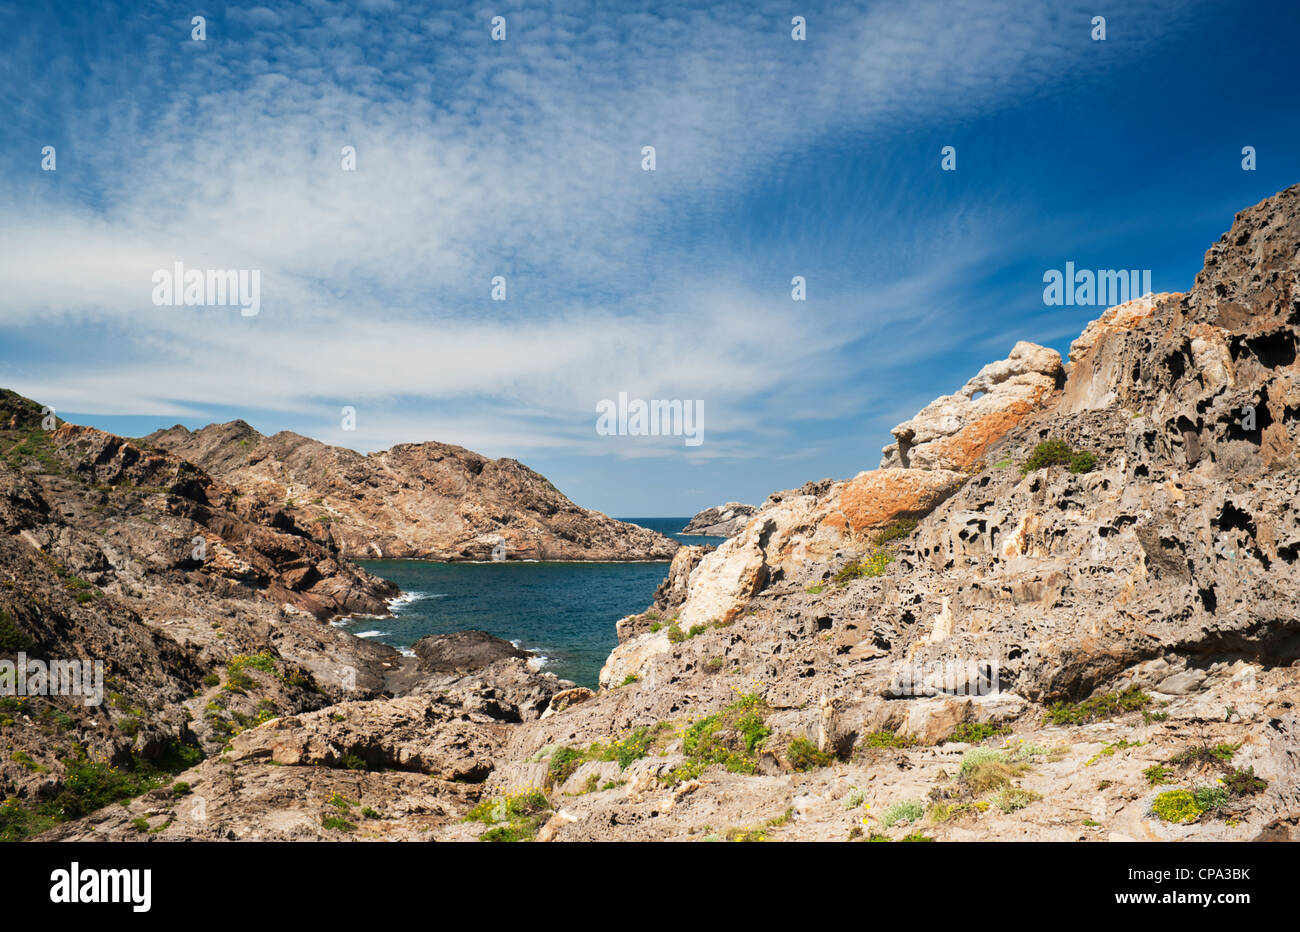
{"points": [[417, 501]]}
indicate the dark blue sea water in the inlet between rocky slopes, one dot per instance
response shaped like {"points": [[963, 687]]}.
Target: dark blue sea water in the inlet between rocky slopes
{"points": [[564, 612]]}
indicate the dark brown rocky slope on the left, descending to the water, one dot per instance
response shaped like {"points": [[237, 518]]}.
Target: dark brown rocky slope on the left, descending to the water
{"points": [[138, 561]]}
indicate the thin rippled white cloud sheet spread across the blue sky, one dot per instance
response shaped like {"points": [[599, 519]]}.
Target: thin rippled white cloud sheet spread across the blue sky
{"points": [[480, 159]]}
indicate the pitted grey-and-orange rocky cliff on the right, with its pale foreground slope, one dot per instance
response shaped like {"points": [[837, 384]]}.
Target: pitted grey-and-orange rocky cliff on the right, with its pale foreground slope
{"points": [[1065, 608]]}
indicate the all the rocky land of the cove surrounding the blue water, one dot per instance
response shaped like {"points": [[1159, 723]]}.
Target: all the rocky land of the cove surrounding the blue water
{"points": [[1103, 528]]}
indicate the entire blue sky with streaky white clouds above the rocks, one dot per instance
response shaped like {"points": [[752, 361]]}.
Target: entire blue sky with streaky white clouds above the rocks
{"points": [[523, 159]]}
